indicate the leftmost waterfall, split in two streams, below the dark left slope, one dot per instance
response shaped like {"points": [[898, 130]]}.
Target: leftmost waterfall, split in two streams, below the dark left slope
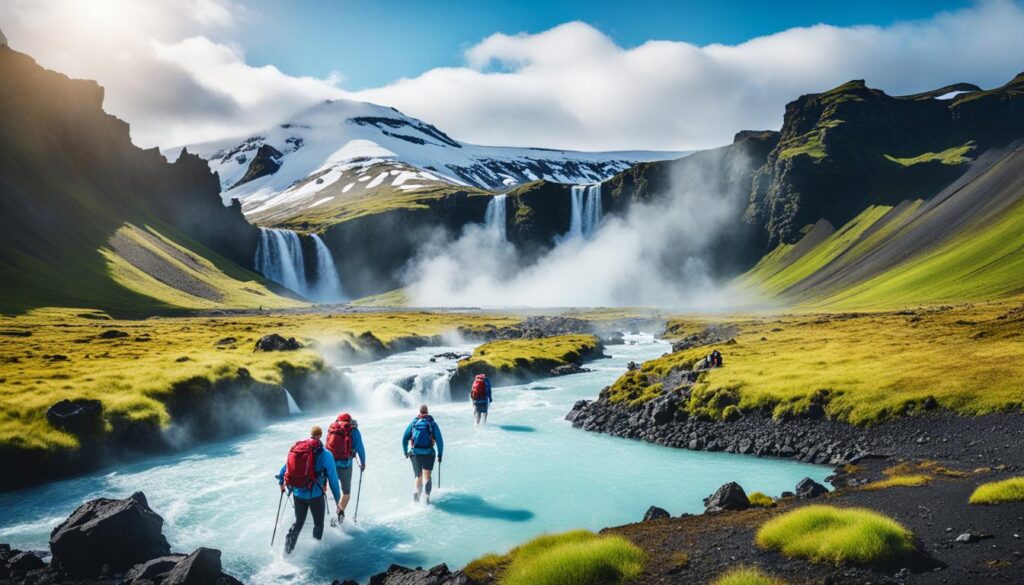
{"points": [[280, 258]]}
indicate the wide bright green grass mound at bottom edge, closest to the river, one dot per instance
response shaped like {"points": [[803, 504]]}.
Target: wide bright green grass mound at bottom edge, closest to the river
{"points": [[576, 558]]}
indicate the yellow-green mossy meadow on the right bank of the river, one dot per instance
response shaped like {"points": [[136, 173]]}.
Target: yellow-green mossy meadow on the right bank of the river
{"points": [[872, 366]]}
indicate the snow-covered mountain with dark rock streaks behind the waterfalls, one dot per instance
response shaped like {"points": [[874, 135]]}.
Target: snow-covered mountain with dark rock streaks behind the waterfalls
{"points": [[343, 151]]}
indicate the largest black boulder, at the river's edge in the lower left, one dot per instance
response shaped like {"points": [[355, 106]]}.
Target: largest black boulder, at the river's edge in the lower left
{"points": [[117, 533]]}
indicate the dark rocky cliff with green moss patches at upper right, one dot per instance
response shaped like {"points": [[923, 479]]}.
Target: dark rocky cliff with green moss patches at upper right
{"points": [[852, 147]]}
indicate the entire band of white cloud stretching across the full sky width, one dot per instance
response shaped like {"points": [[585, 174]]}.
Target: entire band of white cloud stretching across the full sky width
{"points": [[176, 73]]}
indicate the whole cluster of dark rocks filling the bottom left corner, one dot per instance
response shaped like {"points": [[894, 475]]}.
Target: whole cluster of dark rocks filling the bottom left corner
{"points": [[113, 542]]}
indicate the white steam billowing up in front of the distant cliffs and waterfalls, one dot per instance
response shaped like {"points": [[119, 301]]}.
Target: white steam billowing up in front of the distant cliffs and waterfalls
{"points": [[657, 256]]}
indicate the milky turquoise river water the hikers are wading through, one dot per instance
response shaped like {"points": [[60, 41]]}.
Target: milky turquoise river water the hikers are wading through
{"points": [[528, 473]]}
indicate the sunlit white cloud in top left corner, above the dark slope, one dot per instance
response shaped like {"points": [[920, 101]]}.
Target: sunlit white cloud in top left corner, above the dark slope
{"points": [[162, 71]]}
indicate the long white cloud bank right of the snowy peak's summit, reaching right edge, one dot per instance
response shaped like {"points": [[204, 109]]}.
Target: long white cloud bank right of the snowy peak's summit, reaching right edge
{"points": [[573, 88]]}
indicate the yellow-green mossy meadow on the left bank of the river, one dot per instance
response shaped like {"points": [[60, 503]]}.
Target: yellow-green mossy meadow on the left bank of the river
{"points": [[132, 375]]}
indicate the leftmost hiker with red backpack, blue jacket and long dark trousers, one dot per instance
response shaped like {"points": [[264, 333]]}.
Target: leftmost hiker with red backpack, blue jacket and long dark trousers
{"points": [[309, 470]]}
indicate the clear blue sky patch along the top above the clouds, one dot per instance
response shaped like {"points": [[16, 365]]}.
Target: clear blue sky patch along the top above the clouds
{"points": [[374, 43]]}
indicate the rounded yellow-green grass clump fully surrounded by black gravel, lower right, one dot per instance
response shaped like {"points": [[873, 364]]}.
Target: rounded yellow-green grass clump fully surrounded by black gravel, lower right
{"points": [[829, 534]]}
